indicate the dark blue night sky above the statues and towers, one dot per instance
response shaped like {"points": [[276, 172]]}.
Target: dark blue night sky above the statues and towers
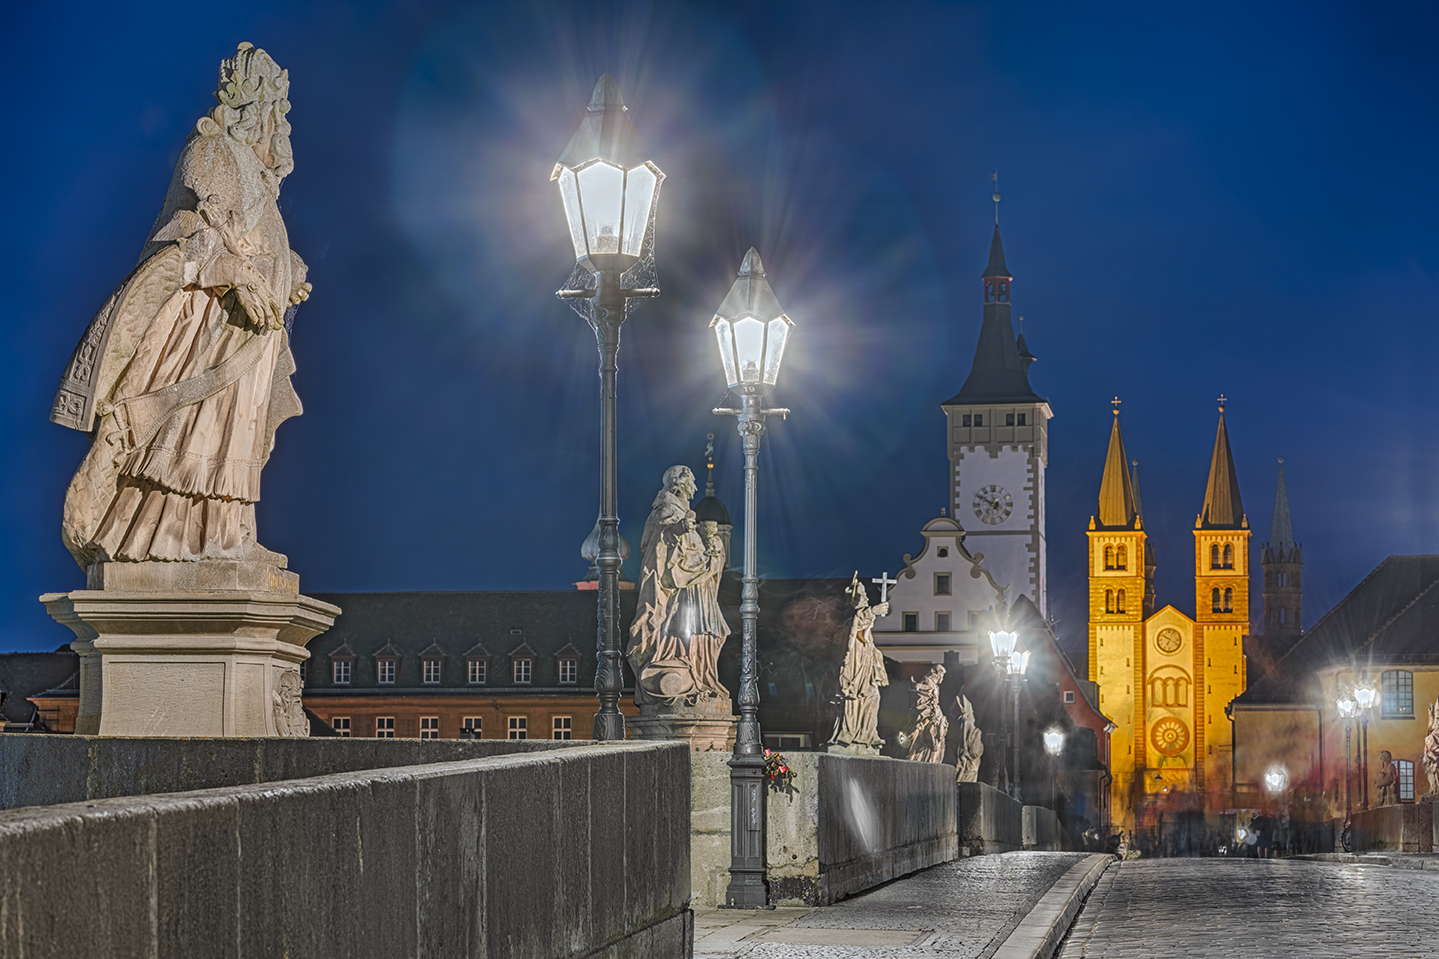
{"points": [[1198, 199]]}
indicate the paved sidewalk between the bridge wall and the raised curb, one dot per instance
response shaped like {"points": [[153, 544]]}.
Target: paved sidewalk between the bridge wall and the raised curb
{"points": [[963, 909]]}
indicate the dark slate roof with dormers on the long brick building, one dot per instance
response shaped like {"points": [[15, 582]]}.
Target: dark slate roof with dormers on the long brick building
{"points": [[461, 626]]}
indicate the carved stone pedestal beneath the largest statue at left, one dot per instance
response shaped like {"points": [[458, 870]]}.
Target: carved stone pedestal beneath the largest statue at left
{"points": [[188, 649]]}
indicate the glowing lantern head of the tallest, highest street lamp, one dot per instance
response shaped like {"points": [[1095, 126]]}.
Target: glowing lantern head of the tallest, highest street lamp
{"points": [[608, 184]]}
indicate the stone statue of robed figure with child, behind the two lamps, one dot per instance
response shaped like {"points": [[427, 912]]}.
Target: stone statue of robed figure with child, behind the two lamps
{"points": [[678, 629]]}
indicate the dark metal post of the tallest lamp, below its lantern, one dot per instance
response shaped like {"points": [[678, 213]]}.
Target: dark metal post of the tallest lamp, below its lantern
{"points": [[609, 676]]}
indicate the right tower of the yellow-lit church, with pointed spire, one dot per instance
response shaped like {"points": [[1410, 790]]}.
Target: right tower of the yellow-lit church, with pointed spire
{"points": [[1221, 610]]}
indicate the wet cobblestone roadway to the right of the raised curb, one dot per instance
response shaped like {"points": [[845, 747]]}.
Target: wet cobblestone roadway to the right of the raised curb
{"points": [[1256, 908]]}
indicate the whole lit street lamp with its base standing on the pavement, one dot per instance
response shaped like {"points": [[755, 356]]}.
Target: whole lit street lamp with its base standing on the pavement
{"points": [[752, 332]]}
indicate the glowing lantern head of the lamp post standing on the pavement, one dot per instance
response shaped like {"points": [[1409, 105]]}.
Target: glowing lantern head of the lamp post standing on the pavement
{"points": [[752, 330]]}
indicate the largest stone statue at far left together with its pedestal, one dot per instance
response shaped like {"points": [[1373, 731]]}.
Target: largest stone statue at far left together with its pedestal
{"points": [[188, 626]]}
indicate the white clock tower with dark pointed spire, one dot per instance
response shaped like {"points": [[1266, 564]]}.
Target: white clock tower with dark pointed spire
{"points": [[999, 449]]}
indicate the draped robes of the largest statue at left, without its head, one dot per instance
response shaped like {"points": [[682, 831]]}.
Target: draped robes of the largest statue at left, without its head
{"points": [[181, 387]]}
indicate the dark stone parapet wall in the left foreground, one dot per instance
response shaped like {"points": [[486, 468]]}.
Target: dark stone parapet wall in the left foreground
{"points": [[578, 852]]}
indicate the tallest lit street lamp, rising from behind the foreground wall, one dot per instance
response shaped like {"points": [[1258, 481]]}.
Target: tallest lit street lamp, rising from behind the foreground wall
{"points": [[611, 191]]}
